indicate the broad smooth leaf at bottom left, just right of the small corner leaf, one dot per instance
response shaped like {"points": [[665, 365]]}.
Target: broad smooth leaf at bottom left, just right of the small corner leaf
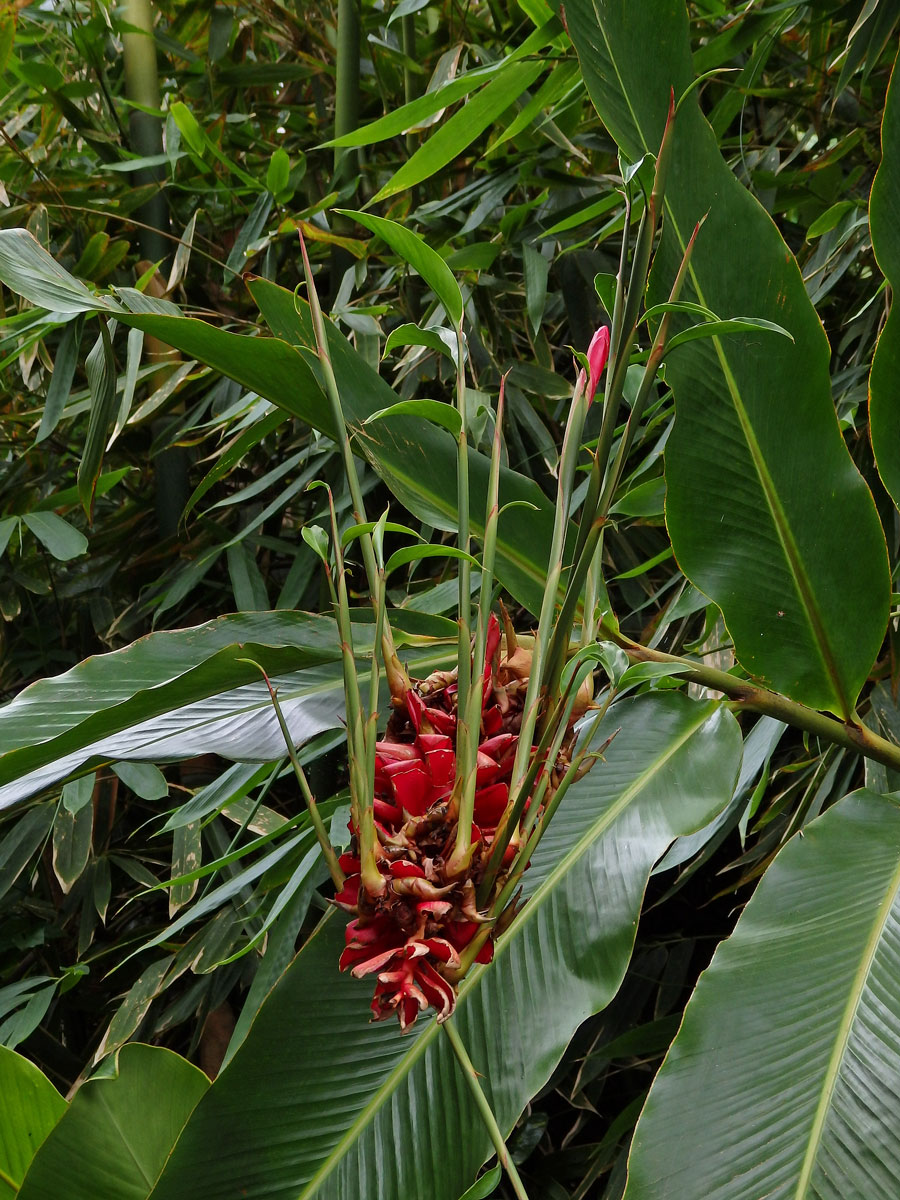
{"points": [[118, 1133]]}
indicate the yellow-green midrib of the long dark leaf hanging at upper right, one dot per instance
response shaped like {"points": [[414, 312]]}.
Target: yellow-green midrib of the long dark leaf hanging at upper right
{"points": [[785, 535]]}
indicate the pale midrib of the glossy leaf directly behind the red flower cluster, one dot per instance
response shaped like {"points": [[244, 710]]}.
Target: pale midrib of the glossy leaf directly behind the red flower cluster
{"points": [[532, 907]]}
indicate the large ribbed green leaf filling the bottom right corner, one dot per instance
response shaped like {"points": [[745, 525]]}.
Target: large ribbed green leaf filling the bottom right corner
{"points": [[785, 1076]]}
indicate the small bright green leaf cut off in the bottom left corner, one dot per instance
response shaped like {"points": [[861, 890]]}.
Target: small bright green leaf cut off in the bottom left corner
{"points": [[29, 1108]]}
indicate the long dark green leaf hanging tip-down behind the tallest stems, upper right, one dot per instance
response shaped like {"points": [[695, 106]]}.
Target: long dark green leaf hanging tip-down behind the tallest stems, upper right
{"points": [[767, 513]]}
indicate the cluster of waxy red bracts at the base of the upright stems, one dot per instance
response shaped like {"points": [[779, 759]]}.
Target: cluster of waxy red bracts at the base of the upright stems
{"points": [[412, 932]]}
